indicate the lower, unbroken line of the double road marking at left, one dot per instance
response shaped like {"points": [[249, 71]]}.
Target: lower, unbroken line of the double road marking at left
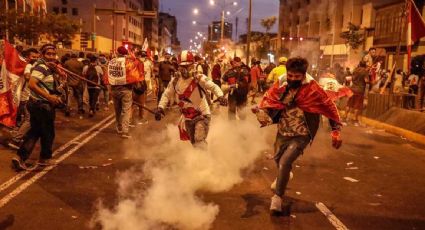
{"points": [[40, 174]]}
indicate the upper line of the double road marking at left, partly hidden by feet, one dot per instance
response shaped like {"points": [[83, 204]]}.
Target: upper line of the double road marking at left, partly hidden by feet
{"points": [[75, 140]]}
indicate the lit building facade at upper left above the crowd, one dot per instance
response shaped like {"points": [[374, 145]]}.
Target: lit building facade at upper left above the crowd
{"points": [[104, 32]]}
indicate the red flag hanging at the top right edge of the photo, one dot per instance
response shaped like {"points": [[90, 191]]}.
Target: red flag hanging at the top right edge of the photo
{"points": [[415, 27]]}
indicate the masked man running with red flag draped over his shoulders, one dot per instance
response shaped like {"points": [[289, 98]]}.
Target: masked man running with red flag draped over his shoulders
{"points": [[295, 103]]}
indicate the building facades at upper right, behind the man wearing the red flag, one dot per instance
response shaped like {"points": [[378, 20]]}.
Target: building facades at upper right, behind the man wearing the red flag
{"points": [[320, 22]]}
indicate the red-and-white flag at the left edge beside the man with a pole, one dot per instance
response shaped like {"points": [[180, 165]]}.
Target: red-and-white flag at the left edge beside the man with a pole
{"points": [[11, 83]]}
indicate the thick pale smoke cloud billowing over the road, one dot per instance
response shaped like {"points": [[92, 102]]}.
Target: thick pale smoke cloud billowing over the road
{"points": [[164, 192]]}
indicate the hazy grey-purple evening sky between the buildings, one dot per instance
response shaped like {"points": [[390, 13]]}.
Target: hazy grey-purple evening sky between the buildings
{"points": [[183, 10]]}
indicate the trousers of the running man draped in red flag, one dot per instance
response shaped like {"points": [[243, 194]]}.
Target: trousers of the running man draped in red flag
{"points": [[287, 150]]}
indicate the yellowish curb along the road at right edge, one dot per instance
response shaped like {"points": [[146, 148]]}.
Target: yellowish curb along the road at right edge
{"points": [[415, 137]]}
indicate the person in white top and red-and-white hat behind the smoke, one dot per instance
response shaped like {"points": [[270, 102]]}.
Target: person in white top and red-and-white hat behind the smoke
{"points": [[189, 88]]}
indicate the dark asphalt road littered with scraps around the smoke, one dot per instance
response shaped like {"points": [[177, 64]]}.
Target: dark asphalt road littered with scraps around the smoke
{"points": [[387, 193]]}
